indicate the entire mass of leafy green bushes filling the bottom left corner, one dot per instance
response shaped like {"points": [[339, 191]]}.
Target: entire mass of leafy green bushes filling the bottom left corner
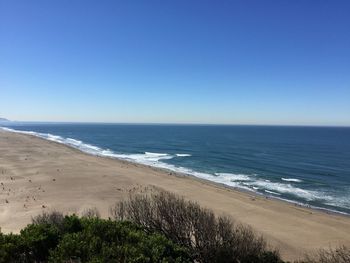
{"points": [[73, 239]]}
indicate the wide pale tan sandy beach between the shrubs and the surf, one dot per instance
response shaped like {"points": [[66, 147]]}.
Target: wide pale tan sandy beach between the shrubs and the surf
{"points": [[39, 175]]}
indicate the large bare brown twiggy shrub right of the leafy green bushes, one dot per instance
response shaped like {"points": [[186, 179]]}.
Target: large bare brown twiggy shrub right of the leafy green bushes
{"points": [[208, 238]]}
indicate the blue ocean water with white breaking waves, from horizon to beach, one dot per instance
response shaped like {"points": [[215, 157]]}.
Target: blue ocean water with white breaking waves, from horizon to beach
{"points": [[306, 165]]}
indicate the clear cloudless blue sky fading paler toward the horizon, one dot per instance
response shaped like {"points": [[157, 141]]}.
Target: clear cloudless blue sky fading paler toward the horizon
{"points": [[232, 62]]}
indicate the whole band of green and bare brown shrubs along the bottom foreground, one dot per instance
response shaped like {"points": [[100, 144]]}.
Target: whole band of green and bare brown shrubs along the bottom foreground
{"points": [[155, 227]]}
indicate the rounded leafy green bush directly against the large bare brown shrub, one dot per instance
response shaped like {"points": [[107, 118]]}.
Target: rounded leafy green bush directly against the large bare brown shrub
{"points": [[106, 241]]}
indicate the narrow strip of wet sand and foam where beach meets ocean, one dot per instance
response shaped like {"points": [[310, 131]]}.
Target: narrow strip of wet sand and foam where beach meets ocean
{"points": [[177, 173]]}
